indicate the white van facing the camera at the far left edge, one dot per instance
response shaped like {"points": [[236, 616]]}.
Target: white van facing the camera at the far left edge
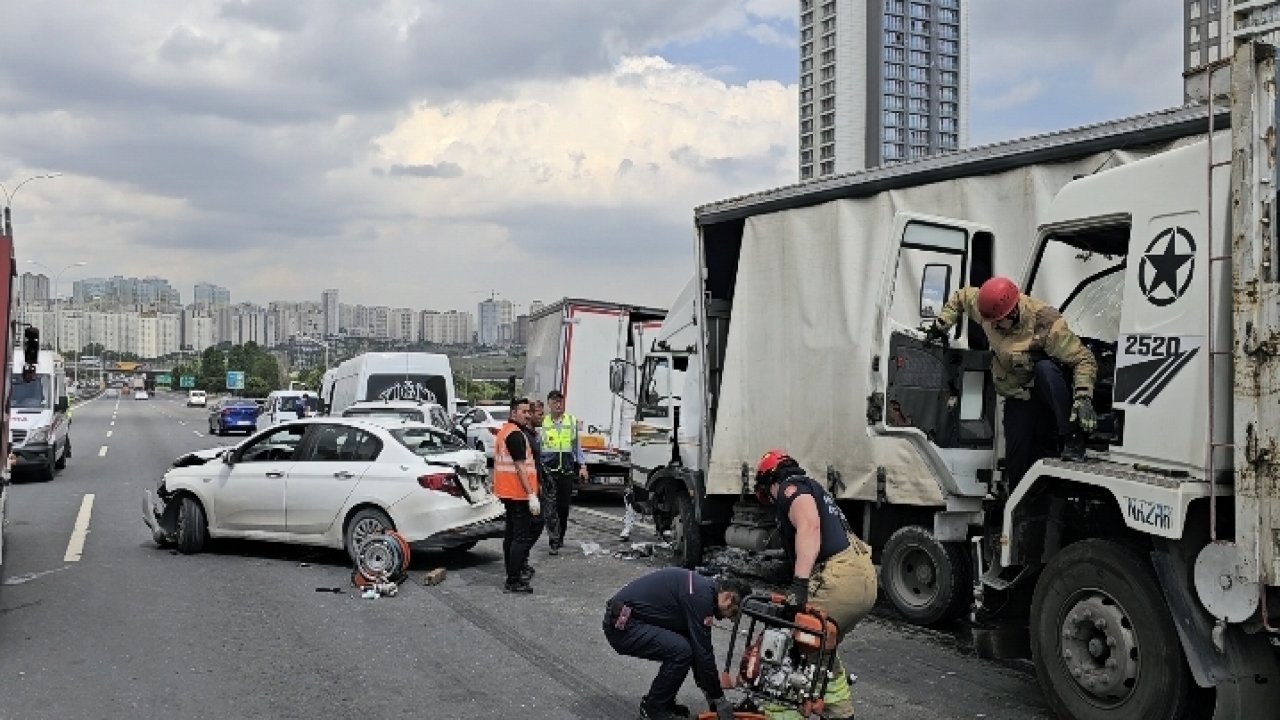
{"points": [[40, 425]]}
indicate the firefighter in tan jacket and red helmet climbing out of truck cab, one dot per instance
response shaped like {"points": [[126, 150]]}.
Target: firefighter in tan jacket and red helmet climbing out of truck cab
{"points": [[1031, 347]]}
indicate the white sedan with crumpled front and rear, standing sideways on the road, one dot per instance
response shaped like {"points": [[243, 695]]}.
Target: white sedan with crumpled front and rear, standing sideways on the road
{"points": [[330, 482]]}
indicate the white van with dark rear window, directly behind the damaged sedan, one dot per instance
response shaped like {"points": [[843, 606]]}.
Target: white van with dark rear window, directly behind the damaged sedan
{"points": [[424, 377]]}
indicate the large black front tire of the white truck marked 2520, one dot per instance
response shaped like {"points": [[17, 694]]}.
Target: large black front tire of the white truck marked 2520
{"points": [[1099, 612]]}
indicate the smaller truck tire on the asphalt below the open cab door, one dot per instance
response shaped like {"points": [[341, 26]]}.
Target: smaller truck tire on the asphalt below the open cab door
{"points": [[926, 580]]}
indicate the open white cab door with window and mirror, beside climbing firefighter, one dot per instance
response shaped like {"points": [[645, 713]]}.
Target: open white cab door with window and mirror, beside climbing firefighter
{"points": [[940, 398]]}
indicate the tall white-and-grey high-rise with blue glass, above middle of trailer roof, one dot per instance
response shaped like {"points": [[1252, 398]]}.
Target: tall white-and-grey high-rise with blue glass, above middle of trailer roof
{"points": [[881, 81]]}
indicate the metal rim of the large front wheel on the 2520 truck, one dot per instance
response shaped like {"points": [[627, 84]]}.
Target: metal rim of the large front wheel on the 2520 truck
{"points": [[1099, 649]]}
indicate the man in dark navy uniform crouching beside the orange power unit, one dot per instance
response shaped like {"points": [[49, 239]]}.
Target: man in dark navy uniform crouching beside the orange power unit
{"points": [[668, 617]]}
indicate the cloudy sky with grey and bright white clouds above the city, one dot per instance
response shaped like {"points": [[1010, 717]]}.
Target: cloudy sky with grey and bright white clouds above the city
{"points": [[428, 153]]}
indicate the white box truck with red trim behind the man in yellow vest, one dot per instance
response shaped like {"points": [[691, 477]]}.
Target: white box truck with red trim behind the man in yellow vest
{"points": [[573, 348]]}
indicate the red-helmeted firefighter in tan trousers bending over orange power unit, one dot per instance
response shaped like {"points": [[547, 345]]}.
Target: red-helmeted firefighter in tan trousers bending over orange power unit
{"points": [[831, 567]]}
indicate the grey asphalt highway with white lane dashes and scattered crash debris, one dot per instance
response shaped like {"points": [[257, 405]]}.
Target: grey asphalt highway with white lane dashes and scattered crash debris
{"points": [[98, 623]]}
